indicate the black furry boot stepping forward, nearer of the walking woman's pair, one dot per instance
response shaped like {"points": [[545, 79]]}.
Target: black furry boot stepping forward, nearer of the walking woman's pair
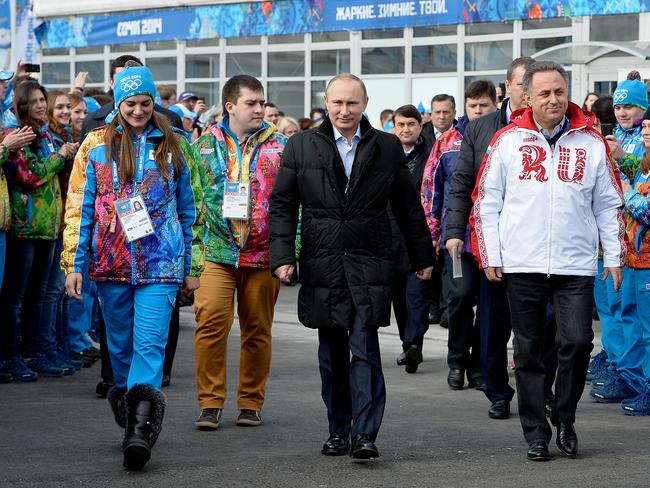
{"points": [[145, 411]]}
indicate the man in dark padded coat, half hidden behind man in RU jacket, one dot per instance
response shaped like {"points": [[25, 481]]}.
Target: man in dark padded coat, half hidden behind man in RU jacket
{"points": [[493, 306]]}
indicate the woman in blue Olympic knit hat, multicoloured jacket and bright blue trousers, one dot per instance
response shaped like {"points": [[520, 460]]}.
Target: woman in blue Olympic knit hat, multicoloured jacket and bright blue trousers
{"points": [[134, 211]]}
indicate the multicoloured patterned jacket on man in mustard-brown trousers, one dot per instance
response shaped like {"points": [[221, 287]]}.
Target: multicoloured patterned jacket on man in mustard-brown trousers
{"points": [[242, 243]]}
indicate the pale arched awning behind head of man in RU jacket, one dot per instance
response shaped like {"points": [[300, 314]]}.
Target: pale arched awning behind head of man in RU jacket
{"points": [[586, 52]]}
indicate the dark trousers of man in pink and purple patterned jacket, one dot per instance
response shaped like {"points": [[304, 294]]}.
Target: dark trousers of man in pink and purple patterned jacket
{"points": [[464, 340]]}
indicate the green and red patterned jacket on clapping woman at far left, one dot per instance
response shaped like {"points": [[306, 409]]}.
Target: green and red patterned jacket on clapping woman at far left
{"points": [[34, 190]]}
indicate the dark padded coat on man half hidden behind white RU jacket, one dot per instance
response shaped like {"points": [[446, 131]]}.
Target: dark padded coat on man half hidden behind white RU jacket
{"points": [[476, 139]]}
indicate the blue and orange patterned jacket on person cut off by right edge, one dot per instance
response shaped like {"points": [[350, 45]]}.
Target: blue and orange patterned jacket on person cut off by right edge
{"points": [[637, 222]]}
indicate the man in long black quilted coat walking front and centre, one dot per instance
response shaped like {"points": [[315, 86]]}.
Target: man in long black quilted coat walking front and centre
{"points": [[344, 174]]}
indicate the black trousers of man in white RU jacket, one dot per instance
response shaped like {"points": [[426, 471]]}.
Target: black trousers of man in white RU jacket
{"points": [[528, 296]]}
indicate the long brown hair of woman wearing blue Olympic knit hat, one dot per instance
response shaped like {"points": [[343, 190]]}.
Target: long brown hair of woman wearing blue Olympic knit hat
{"points": [[170, 144]]}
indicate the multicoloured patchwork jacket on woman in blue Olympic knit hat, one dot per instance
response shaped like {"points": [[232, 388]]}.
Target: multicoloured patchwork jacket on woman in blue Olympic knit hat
{"points": [[93, 231]]}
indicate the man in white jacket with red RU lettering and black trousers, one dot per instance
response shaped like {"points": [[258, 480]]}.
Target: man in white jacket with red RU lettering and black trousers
{"points": [[546, 194]]}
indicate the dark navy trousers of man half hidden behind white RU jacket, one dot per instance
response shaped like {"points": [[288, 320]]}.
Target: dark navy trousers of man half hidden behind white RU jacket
{"points": [[494, 317]]}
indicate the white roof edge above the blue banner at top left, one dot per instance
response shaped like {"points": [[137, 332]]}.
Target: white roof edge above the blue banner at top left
{"points": [[62, 8]]}
